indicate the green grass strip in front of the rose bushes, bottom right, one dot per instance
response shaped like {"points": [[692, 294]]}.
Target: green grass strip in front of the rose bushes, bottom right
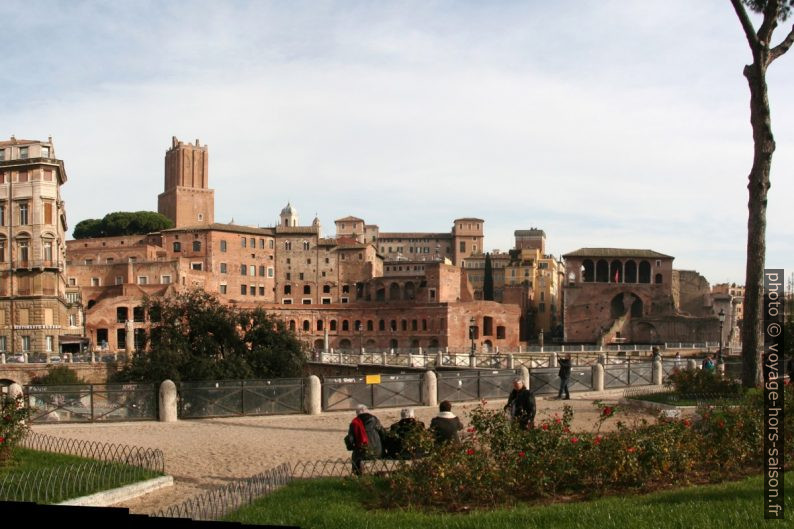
{"points": [[339, 503]]}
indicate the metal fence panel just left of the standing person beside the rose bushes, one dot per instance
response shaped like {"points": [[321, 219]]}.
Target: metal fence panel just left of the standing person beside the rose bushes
{"points": [[458, 386]]}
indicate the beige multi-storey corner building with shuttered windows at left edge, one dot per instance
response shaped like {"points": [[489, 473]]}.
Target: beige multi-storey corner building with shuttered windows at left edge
{"points": [[33, 305]]}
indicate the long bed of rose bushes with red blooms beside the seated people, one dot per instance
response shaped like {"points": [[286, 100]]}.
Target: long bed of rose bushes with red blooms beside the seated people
{"points": [[497, 463]]}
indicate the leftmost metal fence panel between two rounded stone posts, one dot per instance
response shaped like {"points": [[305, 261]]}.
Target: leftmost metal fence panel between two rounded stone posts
{"points": [[92, 402]]}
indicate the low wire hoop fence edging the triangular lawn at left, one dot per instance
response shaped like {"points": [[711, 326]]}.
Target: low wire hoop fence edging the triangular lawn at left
{"points": [[148, 458]]}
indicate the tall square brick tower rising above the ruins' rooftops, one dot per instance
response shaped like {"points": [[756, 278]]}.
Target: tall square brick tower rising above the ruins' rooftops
{"points": [[187, 199]]}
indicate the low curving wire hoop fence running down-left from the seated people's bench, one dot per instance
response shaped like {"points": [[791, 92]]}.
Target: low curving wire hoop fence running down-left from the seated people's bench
{"points": [[217, 503]]}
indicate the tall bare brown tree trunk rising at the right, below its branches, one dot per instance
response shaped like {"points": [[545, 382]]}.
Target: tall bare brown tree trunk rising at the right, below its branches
{"points": [[758, 186]]}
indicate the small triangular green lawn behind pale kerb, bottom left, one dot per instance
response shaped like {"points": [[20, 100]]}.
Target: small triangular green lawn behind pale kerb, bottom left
{"points": [[16, 485]]}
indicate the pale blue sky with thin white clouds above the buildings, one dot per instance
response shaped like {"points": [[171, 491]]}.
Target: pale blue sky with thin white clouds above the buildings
{"points": [[605, 123]]}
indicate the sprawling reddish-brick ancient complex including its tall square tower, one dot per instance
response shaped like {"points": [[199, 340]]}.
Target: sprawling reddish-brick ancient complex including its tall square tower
{"points": [[340, 289]]}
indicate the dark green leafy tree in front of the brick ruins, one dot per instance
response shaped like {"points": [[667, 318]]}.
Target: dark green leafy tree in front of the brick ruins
{"points": [[196, 337]]}
